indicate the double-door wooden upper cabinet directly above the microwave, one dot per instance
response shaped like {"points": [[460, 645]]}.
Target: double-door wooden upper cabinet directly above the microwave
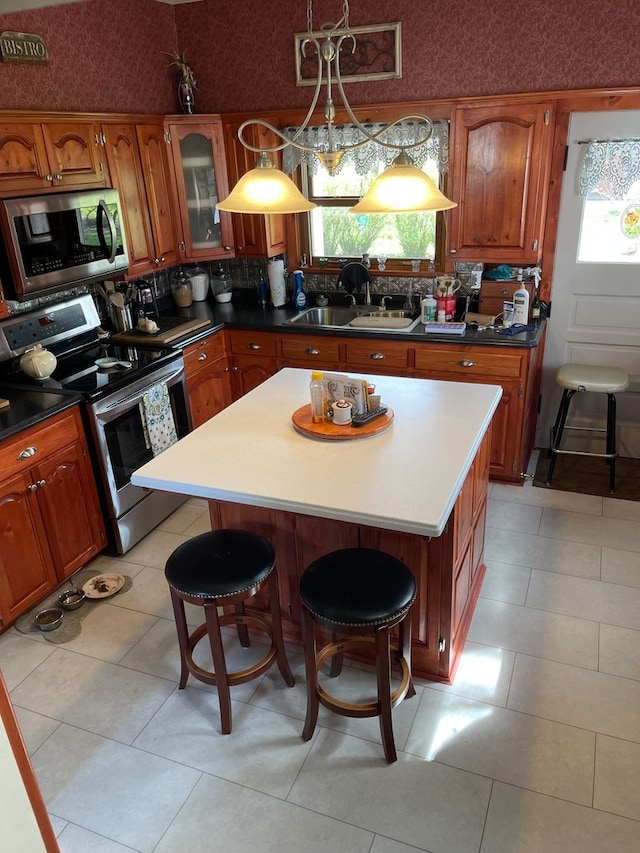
{"points": [[37, 157]]}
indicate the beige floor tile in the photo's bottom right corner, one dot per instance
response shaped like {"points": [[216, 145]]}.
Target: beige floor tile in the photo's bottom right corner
{"points": [[520, 821]]}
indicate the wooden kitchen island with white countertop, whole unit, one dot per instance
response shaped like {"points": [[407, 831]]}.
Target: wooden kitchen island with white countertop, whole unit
{"points": [[417, 491]]}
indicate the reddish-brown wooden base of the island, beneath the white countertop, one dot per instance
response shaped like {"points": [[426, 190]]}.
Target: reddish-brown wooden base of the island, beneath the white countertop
{"points": [[449, 569]]}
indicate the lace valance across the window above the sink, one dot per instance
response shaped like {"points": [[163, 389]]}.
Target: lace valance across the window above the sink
{"points": [[370, 155]]}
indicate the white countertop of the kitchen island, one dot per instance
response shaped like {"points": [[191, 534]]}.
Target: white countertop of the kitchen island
{"points": [[405, 479]]}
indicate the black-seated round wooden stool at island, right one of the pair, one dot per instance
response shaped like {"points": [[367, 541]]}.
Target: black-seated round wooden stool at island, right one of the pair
{"points": [[363, 594]]}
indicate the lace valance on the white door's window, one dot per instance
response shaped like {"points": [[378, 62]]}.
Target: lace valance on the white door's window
{"points": [[610, 168]]}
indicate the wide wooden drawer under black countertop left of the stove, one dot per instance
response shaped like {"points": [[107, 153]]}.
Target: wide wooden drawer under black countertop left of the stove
{"points": [[37, 442]]}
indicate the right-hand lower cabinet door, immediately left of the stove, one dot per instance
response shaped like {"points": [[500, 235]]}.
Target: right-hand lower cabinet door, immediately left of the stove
{"points": [[70, 511]]}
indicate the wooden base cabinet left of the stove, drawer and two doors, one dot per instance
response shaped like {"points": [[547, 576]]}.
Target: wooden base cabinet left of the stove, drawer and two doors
{"points": [[50, 519]]}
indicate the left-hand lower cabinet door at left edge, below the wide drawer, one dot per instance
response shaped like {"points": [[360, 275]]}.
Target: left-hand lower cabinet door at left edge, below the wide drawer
{"points": [[26, 567]]}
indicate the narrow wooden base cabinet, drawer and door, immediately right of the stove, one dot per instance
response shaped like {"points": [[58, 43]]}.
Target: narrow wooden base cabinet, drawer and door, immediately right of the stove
{"points": [[208, 371]]}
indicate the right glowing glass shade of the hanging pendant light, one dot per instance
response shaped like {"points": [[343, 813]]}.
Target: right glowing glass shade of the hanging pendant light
{"points": [[402, 188]]}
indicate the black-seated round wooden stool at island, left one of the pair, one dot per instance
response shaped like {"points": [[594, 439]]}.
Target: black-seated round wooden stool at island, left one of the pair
{"points": [[225, 567]]}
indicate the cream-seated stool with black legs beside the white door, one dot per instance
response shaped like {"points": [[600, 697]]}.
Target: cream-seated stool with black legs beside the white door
{"points": [[573, 378]]}
